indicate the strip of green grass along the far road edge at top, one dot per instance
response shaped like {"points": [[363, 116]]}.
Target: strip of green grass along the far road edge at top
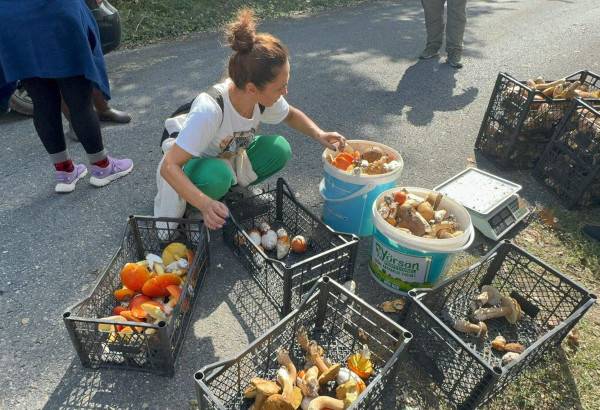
{"points": [[149, 21]]}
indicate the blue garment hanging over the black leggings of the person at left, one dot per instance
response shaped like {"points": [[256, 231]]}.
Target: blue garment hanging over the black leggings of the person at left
{"points": [[50, 39]]}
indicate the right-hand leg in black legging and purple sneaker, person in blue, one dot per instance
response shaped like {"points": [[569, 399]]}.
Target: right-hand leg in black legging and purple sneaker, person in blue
{"points": [[77, 93]]}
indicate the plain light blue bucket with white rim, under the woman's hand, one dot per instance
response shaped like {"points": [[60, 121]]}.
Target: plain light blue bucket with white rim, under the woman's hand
{"points": [[349, 198]]}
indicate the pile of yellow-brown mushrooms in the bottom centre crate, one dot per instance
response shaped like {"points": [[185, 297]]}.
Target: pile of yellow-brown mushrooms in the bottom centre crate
{"points": [[312, 387]]}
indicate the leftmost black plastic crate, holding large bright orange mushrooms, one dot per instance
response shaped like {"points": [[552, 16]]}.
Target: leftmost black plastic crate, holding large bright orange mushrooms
{"points": [[154, 352]]}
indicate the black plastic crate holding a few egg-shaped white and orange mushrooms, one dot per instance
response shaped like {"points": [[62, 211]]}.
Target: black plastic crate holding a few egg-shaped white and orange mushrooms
{"points": [[284, 282]]}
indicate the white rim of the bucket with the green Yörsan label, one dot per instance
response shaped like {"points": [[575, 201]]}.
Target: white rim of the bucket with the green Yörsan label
{"points": [[448, 245]]}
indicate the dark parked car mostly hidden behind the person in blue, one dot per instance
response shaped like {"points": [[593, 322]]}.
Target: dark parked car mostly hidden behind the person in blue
{"points": [[109, 24]]}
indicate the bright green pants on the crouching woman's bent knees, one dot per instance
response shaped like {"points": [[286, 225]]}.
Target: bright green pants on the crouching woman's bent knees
{"points": [[268, 155]]}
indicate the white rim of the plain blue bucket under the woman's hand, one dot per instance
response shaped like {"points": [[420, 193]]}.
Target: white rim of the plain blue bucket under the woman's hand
{"points": [[364, 178]]}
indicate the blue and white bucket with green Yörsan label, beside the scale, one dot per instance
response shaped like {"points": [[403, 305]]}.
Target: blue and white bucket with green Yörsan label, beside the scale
{"points": [[401, 261]]}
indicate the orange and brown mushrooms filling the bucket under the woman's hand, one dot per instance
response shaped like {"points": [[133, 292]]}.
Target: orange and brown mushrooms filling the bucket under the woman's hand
{"points": [[364, 158]]}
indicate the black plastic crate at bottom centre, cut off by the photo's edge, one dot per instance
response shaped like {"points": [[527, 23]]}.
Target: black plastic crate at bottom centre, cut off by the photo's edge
{"points": [[340, 322]]}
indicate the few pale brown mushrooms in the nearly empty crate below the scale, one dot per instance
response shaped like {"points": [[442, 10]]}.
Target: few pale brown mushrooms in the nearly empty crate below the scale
{"points": [[491, 304]]}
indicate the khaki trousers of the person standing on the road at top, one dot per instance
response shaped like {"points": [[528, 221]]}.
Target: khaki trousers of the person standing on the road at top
{"points": [[455, 23]]}
